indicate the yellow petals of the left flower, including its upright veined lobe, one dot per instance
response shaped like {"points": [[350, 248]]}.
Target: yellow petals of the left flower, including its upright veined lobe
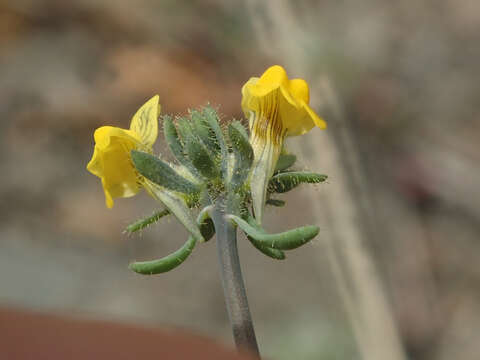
{"points": [[111, 160]]}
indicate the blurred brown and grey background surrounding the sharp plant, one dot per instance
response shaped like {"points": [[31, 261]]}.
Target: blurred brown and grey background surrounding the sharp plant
{"points": [[397, 83]]}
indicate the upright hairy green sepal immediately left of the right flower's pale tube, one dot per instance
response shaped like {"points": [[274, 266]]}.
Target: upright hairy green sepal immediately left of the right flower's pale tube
{"points": [[243, 155]]}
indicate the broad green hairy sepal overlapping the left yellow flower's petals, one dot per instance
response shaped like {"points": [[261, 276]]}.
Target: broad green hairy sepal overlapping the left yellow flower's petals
{"points": [[161, 173]]}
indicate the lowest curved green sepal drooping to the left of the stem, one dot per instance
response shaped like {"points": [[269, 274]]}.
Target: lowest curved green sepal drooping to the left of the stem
{"points": [[166, 263]]}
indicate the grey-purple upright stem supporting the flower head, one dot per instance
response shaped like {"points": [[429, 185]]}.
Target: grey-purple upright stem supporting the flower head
{"points": [[232, 281]]}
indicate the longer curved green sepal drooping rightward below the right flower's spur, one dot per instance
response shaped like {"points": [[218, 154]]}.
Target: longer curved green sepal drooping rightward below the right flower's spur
{"points": [[287, 240]]}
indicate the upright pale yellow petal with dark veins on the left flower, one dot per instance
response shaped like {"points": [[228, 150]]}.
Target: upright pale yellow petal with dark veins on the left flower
{"points": [[145, 122]]}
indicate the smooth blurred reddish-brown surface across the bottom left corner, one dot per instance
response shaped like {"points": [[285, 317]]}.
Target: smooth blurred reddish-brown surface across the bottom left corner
{"points": [[25, 335]]}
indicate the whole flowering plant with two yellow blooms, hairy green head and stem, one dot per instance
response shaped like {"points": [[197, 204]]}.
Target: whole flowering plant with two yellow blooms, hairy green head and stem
{"points": [[225, 173]]}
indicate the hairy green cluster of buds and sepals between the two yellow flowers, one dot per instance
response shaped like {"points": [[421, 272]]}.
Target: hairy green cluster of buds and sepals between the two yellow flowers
{"points": [[212, 163]]}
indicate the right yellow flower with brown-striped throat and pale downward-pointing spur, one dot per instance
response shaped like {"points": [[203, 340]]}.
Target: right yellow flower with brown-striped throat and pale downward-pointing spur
{"points": [[276, 107]]}
